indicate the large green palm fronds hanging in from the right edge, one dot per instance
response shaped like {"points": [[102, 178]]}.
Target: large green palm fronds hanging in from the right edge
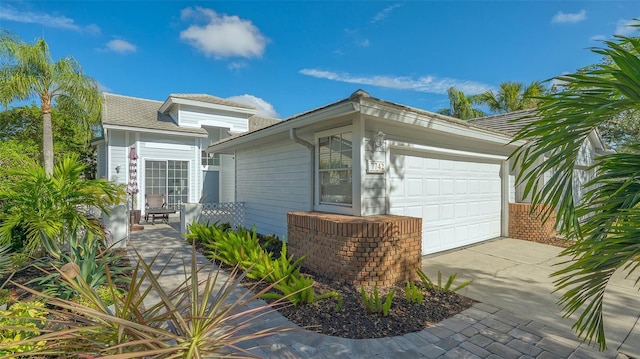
{"points": [[606, 225]]}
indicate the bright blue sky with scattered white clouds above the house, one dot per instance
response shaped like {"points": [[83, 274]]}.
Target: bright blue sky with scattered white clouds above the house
{"points": [[290, 57]]}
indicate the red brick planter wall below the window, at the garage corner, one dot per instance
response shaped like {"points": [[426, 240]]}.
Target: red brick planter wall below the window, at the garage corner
{"points": [[375, 250]]}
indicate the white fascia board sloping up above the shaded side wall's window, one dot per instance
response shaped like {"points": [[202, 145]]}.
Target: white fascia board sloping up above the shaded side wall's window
{"points": [[228, 145]]}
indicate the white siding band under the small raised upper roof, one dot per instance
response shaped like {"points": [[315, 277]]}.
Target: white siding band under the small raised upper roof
{"points": [[196, 117]]}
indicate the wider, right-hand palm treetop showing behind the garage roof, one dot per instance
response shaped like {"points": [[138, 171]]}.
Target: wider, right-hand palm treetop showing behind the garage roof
{"points": [[512, 96]]}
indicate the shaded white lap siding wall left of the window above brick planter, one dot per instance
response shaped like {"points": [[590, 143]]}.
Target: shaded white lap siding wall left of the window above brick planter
{"points": [[273, 180]]}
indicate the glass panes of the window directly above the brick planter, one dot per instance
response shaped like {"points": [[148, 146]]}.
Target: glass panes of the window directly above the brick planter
{"points": [[335, 168]]}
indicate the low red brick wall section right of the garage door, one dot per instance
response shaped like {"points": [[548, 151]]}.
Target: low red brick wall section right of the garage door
{"points": [[526, 225]]}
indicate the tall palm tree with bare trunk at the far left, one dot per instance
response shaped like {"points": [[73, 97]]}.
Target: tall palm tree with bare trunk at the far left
{"points": [[28, 71]]}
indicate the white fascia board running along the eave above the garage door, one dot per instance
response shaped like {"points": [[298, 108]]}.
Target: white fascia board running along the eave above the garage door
{"points": [[436, 124]]}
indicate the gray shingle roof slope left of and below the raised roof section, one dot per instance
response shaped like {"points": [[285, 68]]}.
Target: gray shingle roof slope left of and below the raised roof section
{"points": [[118, 110]]}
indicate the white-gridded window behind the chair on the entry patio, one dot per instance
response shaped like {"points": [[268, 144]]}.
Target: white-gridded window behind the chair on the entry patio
{"points": [[170, 178]]}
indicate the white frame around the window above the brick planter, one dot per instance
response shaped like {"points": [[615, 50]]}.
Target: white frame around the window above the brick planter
{"points": [[339, 208]]}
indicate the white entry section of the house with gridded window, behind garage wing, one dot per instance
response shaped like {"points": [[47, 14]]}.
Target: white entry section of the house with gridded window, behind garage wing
{"points": [[164, 142]]}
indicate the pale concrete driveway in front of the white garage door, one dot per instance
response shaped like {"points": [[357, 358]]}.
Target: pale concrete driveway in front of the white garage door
{"points": [[513, 275]]}
